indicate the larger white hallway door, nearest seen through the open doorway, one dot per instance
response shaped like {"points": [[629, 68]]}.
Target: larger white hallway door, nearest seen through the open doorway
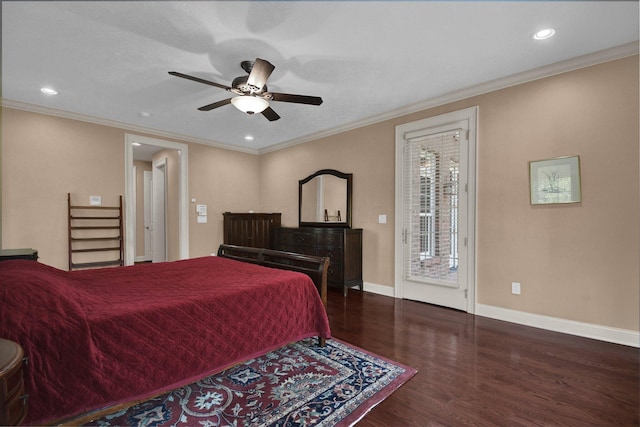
{"points": [[159, 210]]}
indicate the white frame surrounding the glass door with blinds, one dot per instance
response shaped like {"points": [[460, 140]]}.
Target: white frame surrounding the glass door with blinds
{"points": [[470, 114]]}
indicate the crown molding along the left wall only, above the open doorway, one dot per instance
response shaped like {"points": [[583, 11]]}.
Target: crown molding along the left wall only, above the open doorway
{"points": [[18, 105]]}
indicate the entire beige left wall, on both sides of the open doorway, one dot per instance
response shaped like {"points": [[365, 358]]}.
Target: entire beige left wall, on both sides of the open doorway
{"points": [[45, 157]]}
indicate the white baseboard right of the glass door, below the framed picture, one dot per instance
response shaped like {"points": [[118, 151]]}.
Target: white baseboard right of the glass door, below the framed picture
{"points": [[587, 330]]}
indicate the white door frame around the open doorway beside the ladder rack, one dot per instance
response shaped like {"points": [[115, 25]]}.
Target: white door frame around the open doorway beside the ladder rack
{"points": [[129, 192]]}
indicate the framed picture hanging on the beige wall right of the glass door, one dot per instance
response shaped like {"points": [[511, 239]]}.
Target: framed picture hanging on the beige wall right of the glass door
{"points": [[556, 180]]}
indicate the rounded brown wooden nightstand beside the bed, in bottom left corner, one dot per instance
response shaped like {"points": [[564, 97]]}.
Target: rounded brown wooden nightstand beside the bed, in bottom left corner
{"points": [[13, 400]]}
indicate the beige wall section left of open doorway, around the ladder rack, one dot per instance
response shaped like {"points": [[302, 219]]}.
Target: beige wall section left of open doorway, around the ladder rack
{"points": [[44, 158]]}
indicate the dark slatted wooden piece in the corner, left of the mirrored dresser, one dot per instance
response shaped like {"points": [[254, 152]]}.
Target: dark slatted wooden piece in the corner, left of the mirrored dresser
{"points": [[250, 229]]}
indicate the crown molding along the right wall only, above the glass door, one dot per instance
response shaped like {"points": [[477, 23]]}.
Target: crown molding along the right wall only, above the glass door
{"points": [[572, 64]]}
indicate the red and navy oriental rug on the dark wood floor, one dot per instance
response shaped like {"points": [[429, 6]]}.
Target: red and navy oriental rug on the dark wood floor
{"points": [[301, 384]]}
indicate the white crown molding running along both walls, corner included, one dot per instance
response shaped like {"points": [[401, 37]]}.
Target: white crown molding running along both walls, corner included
{"points": [[606, 55]]}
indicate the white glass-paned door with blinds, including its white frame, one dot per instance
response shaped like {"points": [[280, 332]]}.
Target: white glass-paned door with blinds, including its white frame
{"points": [[435, 210]]}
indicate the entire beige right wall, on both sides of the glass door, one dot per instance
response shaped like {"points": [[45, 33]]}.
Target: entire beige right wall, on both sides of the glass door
{"points": [[578, 262]]}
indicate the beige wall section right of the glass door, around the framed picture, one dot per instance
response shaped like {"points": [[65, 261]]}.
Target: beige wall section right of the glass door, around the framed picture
{"points": [[574, 261]]}
